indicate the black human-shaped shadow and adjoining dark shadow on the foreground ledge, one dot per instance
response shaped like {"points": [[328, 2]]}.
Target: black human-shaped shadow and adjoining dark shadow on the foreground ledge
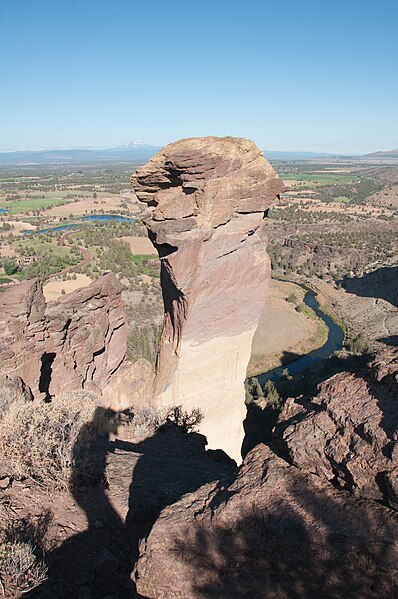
{"points": [[149, 475]]}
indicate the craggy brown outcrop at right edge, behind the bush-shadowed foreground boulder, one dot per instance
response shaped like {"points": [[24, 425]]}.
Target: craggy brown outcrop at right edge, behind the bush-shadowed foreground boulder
{"points": [[348, 432]]}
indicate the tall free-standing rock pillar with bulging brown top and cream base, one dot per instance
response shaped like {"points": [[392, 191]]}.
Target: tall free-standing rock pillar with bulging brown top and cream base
{"points": [[207, 198]]}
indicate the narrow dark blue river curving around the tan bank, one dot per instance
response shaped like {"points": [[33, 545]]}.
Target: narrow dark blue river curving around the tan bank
{"points": [[334, 342]]}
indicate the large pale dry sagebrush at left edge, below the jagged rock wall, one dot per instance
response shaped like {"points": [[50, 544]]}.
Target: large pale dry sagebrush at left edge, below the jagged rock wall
{"points": [[39, 439]]}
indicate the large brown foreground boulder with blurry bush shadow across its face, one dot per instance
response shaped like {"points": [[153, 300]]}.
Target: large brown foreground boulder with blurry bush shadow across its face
{"points": [[273, 533]]}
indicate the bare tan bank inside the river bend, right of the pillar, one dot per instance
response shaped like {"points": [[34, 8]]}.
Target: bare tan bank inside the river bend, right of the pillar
{"points": [[281, 329]]}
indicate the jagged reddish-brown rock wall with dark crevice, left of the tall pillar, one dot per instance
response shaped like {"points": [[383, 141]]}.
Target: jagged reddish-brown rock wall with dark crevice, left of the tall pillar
{"points": [[77, 342]]}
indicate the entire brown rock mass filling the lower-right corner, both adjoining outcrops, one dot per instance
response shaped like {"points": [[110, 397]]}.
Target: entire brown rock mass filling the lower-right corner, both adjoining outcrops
{"points": [[319, 526]]}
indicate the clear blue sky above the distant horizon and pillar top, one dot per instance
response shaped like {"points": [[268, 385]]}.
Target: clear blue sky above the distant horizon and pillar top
{"points": [[291, 74]]}
